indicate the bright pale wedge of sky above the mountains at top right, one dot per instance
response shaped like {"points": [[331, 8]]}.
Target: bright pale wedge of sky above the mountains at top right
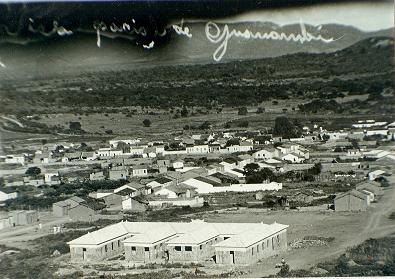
{"points": [[366, 16]]}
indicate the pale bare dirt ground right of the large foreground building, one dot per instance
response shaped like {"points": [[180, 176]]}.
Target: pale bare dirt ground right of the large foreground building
{"points": [[348, 229]]}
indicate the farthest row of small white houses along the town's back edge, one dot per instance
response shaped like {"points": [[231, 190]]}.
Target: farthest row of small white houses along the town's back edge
{"points": [[212, 143]]}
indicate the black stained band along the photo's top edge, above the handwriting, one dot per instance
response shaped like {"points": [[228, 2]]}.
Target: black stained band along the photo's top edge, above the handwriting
{"points": [[153, 15]]}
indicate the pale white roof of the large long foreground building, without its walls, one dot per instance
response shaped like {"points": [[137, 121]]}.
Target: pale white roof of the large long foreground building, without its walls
{"points": [[192, 233]]}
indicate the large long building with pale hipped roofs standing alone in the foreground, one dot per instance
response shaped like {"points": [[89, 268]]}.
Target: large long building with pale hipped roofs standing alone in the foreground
{"points": [[195, 241]]}
